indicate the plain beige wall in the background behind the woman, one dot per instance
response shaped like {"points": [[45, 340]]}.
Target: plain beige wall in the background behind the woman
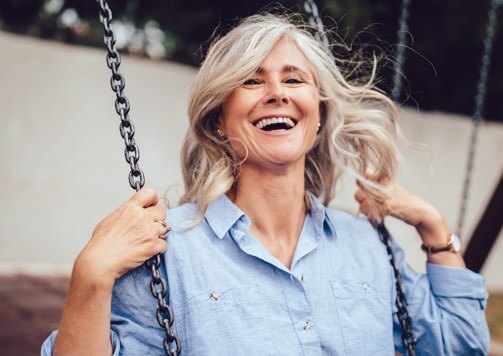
{"points": [[62, 165]]}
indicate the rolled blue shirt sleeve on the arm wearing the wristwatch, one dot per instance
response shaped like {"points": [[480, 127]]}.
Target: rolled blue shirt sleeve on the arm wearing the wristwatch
{"points": [[447, 308]]}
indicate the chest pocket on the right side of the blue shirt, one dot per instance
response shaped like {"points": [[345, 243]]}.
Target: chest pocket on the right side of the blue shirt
{"points": [[365, 316]]}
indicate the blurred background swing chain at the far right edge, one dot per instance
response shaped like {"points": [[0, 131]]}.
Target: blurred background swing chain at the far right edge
{"points": [[477, 118]]}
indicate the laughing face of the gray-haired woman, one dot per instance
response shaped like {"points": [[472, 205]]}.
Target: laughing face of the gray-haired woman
{"points": [[274, 113]]}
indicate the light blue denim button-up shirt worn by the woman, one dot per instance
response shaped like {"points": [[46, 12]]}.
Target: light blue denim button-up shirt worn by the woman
{"points": [[230, 296]]}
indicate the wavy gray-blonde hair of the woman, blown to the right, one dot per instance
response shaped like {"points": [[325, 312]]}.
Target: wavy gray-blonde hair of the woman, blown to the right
{"points": [[358, 122]]}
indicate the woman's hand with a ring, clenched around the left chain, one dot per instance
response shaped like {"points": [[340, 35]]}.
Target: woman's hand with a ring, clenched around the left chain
{"points": [[125, 239]]}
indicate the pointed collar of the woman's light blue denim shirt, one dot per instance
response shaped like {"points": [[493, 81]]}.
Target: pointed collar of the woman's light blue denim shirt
{"points": [[222, 214]]}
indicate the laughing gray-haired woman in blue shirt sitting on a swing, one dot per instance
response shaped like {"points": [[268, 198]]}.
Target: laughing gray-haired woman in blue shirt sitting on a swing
{"points": [[256, 263]]}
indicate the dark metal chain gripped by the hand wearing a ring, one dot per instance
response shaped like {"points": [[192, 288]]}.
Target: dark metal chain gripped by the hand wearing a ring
{"points": [[158, 286]]}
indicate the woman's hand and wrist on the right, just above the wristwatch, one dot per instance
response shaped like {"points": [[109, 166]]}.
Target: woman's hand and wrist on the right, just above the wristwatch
{"points": [[408, 207]]}
